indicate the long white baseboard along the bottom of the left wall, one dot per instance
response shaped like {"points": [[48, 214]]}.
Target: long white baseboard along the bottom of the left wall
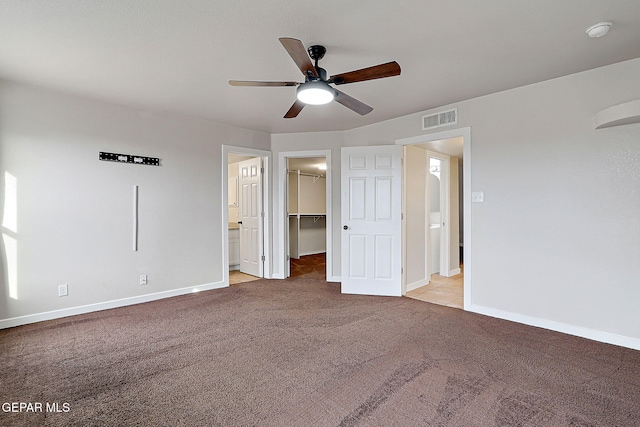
{"points": [[56, 314]]}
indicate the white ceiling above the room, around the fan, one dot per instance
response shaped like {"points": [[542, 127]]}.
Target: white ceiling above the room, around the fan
{"points": [[177, 56]]}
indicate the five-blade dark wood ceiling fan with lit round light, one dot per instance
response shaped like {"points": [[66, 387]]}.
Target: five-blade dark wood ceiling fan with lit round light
{"points": [[317, 89]]}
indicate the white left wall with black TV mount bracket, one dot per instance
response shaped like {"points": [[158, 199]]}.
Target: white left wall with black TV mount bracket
{"points": [[74, 212]]}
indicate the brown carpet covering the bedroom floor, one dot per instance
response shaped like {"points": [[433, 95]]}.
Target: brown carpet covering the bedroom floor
{"points": [[298, 353]]}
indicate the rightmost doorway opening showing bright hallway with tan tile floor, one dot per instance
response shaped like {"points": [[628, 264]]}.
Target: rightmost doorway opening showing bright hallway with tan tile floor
{"points": [[434, 220]]}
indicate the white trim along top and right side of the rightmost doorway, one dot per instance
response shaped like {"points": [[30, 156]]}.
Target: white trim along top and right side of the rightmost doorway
{"points": [[465, 133]]}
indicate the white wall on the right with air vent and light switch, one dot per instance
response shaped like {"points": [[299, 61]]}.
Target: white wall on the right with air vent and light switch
{"points": [[557, 241]]}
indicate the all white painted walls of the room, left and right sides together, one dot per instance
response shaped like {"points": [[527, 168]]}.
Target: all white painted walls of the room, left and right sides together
{"points": [[555, 243]]}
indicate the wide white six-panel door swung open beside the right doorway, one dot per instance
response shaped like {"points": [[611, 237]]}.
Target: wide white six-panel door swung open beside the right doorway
{"points": [[371, 220]]}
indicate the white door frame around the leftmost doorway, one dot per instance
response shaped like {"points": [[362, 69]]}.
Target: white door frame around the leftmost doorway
{"points": [[266, 207]]}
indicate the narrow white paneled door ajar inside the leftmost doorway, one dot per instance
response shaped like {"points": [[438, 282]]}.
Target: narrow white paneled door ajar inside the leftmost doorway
{"points": [[250, 181]]}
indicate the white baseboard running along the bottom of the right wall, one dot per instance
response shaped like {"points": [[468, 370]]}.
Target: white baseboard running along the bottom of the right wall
{"points": [[579, 331]]}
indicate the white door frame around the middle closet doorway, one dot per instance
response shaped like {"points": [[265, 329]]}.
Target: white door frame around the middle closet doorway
{"points": [[282, 210]]}
